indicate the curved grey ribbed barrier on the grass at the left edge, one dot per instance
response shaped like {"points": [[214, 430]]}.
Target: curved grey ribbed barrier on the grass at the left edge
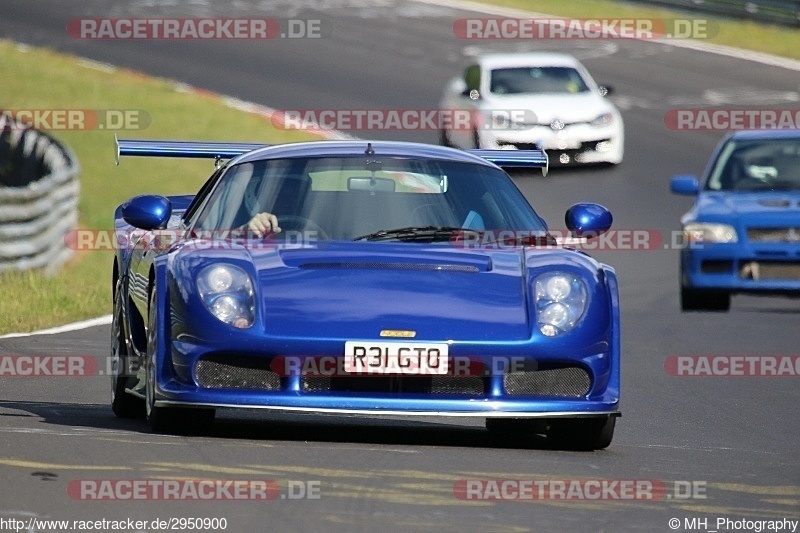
{"points": [[39, 188]]}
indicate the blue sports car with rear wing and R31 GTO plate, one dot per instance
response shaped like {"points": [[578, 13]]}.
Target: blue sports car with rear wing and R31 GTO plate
{"points": [[371, 278]]}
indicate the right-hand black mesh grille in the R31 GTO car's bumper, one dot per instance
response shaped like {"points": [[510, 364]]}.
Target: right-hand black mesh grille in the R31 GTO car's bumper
{"points": [[568, 382]]}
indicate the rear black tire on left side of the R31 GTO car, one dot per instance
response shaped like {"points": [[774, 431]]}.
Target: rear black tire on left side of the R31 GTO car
{"points": [[123, 404]]}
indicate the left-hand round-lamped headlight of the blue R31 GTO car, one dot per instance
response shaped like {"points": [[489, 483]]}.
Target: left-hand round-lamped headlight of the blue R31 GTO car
{"points": [[227, 292]]}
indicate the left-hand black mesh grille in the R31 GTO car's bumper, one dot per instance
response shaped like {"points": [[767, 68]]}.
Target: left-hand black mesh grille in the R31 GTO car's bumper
{"points": [[232, 373]]}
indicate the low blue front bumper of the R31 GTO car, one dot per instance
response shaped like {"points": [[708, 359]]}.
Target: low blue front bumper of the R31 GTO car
{"points": [[498, 393]]}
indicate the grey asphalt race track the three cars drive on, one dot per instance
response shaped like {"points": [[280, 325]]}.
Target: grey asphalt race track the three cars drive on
{"points": [[723, 447]]}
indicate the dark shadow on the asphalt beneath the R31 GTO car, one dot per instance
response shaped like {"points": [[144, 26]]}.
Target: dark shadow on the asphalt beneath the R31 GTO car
{"points": [[294, 427]]}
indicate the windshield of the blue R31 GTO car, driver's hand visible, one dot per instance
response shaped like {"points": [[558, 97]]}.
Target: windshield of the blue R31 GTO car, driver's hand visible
{"points": [[344, 198]]}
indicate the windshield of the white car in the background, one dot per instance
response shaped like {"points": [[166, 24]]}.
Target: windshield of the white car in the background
{"points": [[525, 80]]}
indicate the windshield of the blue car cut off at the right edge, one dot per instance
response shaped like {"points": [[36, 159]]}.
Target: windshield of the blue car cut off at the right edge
{"points": [[764, 164]]}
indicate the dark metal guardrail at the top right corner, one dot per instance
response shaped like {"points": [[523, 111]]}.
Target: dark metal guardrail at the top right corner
{"points": [[785, 12]]}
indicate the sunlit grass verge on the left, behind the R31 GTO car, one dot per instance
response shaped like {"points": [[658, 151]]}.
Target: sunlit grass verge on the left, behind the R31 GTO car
{"points": [[47, 80]]}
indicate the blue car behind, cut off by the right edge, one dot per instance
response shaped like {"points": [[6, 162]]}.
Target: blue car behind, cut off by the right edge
{"points": [[742, 234]]}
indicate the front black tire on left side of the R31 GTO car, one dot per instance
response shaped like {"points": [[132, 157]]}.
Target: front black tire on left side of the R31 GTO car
{"points": [[167, 419]]}
